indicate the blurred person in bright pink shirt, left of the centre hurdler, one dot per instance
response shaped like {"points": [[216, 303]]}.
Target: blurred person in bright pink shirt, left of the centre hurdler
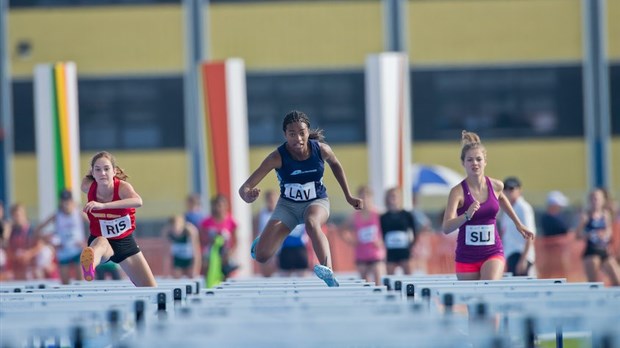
{"points": [[219, 223]]}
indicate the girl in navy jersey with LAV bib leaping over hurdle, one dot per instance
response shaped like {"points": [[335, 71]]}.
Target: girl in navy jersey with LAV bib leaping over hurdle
{"points": [[299, 165]]}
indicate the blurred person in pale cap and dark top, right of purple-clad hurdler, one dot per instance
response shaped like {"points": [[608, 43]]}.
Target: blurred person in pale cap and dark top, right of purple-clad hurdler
{"points": [[554, 258]]}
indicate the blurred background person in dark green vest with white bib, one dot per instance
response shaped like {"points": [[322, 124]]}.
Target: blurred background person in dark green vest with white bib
{"points": [[184, 247]]}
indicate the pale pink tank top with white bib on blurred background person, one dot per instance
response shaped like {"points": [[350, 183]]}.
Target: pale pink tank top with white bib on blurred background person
{"points": [[368, 233]]}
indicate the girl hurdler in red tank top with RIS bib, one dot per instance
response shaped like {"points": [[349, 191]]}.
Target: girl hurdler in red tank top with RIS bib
{"points": [[111, 213]]}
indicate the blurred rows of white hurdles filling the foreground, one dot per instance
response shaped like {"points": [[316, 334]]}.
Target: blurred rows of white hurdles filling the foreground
{"points": [[406, 311]]}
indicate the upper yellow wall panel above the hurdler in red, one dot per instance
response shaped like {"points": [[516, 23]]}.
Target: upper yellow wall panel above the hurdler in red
{"points": [[101, 40]]}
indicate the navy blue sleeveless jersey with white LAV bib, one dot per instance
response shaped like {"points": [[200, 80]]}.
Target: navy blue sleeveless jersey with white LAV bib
{"points": [[302, 181]]}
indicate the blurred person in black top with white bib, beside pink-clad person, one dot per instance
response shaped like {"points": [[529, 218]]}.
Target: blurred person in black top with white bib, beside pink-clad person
{"points": [[398, 230]]}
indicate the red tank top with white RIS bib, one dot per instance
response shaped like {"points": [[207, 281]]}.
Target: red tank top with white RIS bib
{"points": [[111, 223]]}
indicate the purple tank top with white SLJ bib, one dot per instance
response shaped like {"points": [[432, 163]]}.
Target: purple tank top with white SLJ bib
{"points": [[478, 238]]}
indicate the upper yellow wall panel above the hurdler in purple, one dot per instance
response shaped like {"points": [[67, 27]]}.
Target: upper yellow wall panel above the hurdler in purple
{"points": [[481, 31]]}
